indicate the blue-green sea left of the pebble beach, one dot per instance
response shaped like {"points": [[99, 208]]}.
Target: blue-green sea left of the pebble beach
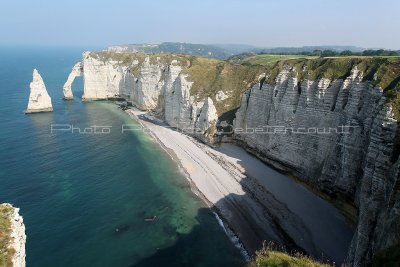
{"points": [[75, 190]]}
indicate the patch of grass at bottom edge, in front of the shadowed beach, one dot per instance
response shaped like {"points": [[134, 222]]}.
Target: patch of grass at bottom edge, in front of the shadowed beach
{"points": [[268, 257]]}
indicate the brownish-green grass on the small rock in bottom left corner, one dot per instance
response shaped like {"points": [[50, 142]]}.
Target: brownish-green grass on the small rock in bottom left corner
{"points": [[6, 253]]}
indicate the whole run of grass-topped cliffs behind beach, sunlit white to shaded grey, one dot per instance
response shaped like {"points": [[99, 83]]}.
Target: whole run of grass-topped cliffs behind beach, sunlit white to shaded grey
{"points": [[356, 159]]}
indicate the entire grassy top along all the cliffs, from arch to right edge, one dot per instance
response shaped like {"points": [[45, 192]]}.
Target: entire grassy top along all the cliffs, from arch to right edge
{"points": [[210, 76]]}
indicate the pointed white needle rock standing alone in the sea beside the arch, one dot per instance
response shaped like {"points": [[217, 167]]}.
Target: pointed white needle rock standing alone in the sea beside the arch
{"points": [[39, 99]]}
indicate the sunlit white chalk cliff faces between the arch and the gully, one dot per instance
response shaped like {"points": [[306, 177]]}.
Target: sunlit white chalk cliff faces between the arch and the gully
{"points": [[155, 85]]}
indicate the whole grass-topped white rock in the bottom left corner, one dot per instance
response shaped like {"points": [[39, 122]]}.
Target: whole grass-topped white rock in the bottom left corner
{"points": [[13, 234]]}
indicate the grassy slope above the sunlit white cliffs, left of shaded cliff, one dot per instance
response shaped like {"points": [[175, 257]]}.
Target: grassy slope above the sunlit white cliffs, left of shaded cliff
{"points": [[208, 75]]}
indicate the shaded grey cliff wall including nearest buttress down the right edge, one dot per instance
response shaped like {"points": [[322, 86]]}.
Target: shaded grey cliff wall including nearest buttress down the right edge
{"points": [[337, 135]]}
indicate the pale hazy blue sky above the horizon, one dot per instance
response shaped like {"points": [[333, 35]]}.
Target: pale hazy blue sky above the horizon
{"points": [[267, 23]]}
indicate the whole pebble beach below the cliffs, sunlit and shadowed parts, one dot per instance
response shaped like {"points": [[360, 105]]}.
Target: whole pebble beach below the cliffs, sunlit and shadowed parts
{"points": [[253, 203]]}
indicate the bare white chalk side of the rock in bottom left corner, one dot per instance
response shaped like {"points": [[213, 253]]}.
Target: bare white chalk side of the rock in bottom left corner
{"points": [[17, 237]]}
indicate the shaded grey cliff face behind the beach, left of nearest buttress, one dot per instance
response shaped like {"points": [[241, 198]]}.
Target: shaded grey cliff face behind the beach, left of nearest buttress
{"points": [[304, 106]]}
